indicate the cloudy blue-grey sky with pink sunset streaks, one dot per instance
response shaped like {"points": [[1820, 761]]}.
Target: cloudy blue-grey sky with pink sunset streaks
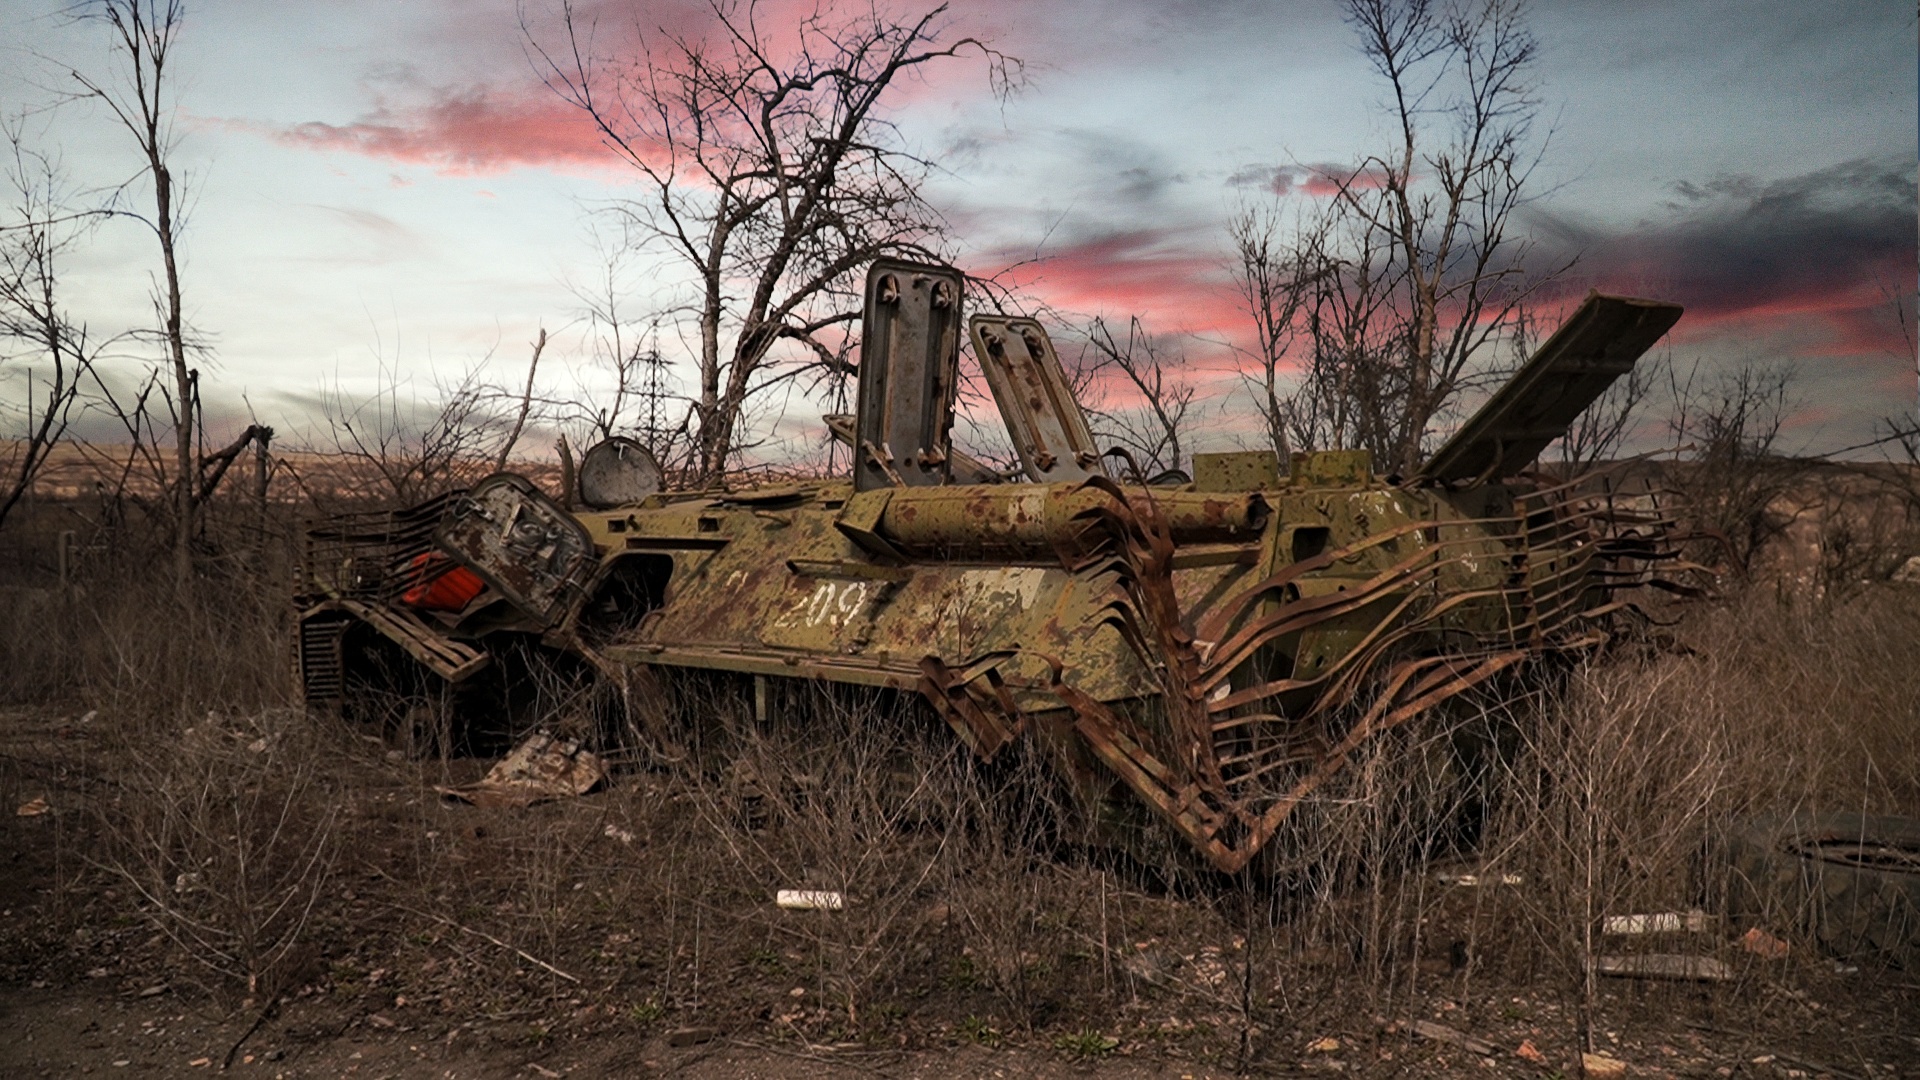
{"points": [[387, 193]]}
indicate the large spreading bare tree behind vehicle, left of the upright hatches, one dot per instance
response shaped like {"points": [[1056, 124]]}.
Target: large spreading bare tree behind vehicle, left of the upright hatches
{"points": [[771, 174]]}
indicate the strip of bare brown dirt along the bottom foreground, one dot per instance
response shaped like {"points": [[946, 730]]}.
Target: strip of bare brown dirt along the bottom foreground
{"points": [[91, 1029]]}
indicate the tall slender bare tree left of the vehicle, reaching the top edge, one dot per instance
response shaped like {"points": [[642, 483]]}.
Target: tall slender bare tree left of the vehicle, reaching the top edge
{"points": [[141, 99]]}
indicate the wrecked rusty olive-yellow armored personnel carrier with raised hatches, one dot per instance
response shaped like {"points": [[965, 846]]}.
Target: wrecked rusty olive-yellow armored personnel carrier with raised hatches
{"points": [[1207, 654]]}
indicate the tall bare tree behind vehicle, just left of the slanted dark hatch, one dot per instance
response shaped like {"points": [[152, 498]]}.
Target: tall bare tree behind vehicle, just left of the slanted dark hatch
{"points": [[1412, 270]]}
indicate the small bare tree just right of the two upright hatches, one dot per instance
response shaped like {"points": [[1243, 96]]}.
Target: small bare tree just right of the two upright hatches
{"points": [[1153, 430]]}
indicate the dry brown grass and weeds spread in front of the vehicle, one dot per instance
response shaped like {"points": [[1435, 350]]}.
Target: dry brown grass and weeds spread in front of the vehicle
{"points": [[289, 856]]}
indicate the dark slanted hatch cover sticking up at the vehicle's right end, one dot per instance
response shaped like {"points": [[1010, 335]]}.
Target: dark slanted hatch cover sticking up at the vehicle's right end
{"points": [[1552, 389]]}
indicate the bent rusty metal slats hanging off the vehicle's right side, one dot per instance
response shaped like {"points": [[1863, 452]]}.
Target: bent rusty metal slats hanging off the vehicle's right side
{"points": [[1247, 733]]}
